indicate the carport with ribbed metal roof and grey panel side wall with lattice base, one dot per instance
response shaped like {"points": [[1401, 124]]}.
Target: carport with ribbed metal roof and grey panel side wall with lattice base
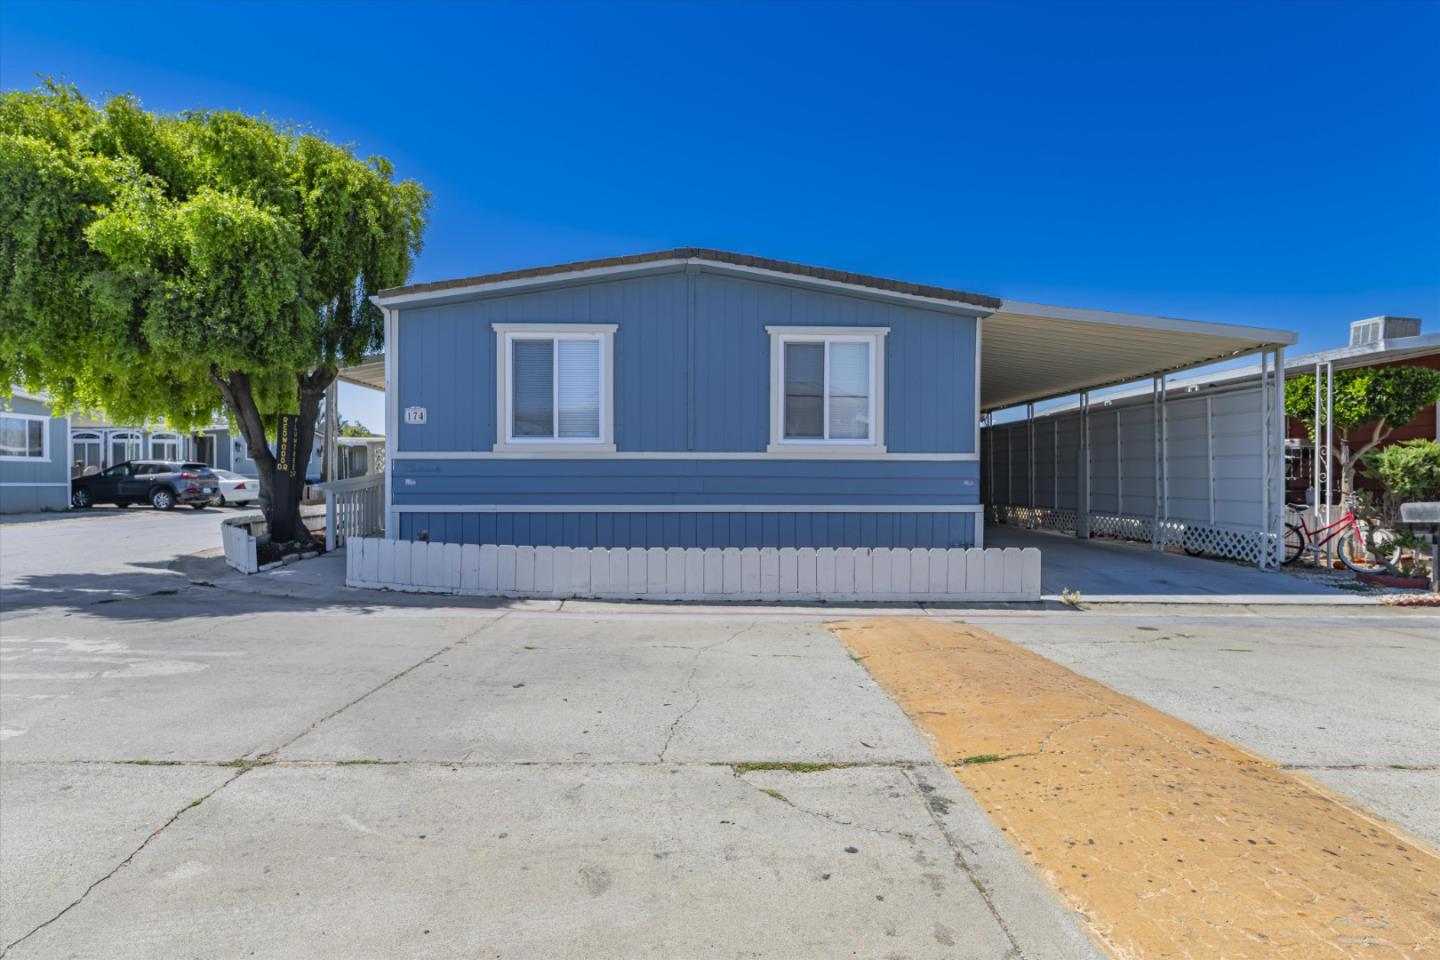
{"points": [[1157, 464]]}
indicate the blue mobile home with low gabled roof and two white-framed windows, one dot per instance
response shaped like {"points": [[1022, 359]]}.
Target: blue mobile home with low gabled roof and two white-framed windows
{"points": [[685, 399]]}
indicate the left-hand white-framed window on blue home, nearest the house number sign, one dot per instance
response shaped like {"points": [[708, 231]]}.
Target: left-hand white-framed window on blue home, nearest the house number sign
{"points": [[555, 386]]}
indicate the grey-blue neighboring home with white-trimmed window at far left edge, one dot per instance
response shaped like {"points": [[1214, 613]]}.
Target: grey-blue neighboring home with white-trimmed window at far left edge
{"points": [[34, 471]]}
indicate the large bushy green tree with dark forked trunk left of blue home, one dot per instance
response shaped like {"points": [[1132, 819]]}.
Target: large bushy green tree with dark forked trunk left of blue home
{"points": [[165, 266]]}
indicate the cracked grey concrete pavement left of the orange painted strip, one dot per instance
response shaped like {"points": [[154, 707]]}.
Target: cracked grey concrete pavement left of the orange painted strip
{"points": [[217, 775]]}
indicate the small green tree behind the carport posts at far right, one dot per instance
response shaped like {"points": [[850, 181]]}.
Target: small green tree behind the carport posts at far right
{"points": [[1379, 399]]}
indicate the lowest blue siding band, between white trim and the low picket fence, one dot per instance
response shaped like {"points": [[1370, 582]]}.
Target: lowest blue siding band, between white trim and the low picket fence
{"points": [[695, 529]]}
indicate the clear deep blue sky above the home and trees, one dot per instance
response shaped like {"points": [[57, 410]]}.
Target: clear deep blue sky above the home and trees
{"points": [[1264, 165]]}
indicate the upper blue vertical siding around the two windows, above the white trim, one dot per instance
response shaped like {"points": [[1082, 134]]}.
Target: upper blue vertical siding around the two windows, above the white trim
{"points": [[689, 376]]}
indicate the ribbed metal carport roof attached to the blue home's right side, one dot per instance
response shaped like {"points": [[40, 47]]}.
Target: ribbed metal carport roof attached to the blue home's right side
{"points": [[1036, 352]]}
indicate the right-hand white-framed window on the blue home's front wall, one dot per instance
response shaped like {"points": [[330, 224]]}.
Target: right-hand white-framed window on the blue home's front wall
{"points": [[827, 389]]}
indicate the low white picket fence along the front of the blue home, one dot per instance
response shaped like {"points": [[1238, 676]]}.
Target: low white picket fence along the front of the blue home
{"points": [[692, 574]]}
